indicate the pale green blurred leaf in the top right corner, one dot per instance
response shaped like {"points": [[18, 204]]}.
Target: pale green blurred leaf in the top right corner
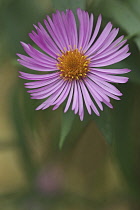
{"points": [[124, 15]]}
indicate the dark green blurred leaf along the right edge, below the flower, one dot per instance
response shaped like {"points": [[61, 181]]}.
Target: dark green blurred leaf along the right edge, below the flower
{"points": [[126, 132]]}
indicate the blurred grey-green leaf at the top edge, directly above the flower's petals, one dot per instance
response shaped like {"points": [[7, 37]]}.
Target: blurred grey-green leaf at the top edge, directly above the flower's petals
{"points": [[68, 4]]}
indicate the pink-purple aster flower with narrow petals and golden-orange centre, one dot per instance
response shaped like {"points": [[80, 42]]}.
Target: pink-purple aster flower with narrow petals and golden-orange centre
{"points": [[73, 60]]}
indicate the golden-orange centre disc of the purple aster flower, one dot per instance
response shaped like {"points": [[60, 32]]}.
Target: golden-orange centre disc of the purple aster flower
{"points": [[73, 64]]}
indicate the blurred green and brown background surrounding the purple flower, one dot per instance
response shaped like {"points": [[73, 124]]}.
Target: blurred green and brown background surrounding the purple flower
{"points": [[98, 165]]}
